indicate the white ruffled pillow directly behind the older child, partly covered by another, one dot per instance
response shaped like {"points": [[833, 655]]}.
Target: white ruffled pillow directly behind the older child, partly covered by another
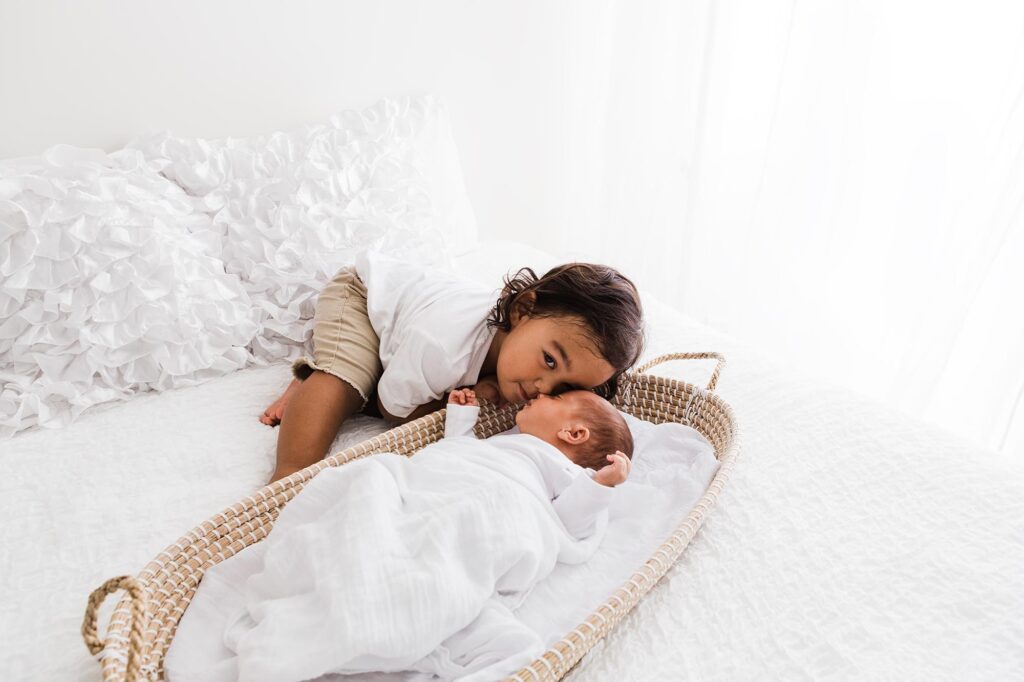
{"points": [[289, 209]]}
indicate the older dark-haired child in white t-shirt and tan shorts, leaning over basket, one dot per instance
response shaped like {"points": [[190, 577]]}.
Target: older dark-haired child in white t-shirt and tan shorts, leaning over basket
{"points": [[414, 334]]}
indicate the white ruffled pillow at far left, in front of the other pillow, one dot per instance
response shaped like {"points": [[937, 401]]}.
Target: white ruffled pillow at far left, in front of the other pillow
{"points": [[105, 290]]}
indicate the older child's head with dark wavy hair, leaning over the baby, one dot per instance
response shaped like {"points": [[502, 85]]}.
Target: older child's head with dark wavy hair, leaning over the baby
{"points": [[580, 326]]}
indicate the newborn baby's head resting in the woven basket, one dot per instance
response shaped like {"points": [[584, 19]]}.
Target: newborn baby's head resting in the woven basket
{"points": [[583, 425]]}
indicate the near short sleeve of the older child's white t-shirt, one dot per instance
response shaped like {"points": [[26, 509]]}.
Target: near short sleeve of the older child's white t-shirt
{"points": [[417, 374]]}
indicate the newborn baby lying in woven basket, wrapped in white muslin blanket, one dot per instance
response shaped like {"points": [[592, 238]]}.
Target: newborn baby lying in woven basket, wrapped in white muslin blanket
{"points": [[394, 564]]}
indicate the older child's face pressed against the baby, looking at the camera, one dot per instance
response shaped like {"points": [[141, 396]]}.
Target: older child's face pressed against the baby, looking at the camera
{"points": [[547, 356]]}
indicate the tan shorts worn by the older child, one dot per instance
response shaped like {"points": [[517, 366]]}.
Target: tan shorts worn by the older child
{"points": [[345, 343]]}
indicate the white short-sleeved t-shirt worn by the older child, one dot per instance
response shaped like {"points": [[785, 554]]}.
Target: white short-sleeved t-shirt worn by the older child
{"points": [[433, 329]]}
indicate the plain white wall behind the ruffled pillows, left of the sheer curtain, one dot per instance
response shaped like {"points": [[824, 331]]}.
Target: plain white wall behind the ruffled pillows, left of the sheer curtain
{"points": [[99, 73]]}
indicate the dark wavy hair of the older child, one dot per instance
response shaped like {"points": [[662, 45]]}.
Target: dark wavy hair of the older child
{"points": [[606, 302]]}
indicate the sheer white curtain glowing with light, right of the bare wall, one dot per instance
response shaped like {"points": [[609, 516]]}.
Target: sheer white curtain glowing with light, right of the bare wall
{"points": [[841, 184]]}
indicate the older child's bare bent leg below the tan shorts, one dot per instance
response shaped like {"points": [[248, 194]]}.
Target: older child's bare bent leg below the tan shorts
{"points": [[316, 412]]}
